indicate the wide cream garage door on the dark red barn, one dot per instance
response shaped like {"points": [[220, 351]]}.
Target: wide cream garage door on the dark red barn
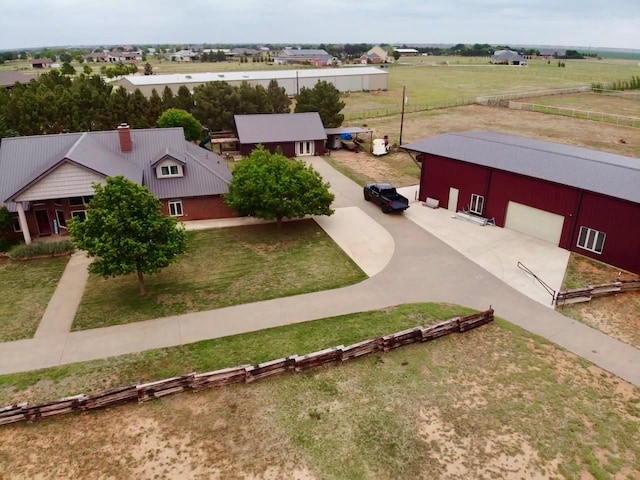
{"points": [[534, 222]]}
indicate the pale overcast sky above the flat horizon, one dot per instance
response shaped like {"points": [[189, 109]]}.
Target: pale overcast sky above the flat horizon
{"points": [[589, 23]]}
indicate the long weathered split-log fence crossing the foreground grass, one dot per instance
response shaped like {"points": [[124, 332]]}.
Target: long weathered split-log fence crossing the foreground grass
{"points": [[197, 382]]}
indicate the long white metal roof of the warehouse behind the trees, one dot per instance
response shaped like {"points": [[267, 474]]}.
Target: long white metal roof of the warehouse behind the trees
{"points": [[140, 80]]}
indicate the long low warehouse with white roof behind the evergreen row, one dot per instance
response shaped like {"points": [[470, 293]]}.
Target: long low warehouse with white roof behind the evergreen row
{"points": [[347, 79]]}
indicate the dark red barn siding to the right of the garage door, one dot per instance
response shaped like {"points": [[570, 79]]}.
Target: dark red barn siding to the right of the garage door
{"points": [[620, 221]]}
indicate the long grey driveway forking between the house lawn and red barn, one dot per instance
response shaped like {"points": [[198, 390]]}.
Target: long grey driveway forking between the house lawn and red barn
{"points": [[422, 269]]}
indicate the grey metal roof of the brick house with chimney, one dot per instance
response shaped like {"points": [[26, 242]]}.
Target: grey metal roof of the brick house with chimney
{"points": [[24, 160]]}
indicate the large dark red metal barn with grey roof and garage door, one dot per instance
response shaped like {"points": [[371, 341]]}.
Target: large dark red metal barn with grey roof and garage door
{"points": [[582, 200]]}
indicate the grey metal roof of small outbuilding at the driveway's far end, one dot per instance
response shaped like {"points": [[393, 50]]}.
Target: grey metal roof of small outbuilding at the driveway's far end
{"points": [[279, 127]]}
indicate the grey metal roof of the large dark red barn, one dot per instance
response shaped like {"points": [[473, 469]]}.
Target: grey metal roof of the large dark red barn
{"points": [[600, 172]]}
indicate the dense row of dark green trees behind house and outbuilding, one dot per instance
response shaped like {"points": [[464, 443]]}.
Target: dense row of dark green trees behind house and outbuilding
{"points": [[57, 103]]}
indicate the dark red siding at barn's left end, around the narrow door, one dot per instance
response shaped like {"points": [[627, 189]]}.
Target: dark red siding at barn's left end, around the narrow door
{"points": [[439, 174]]}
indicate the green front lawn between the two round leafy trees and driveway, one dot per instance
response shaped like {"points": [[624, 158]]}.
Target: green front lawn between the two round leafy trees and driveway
{"points": [[224, 267]]}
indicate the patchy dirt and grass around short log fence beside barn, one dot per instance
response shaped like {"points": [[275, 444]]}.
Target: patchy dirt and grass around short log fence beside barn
{"points": [[618, 316]]}
